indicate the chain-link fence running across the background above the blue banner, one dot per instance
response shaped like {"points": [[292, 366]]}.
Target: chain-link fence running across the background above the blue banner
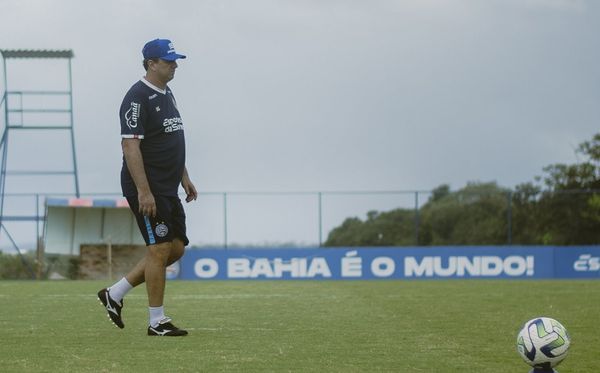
{"points": [[231, 219]]}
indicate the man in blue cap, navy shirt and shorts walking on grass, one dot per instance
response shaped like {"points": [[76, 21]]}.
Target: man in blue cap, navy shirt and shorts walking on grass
{"points": [[153, 168]]}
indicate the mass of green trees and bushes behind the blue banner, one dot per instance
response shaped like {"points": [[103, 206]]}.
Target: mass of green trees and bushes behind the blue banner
{"points": [[560, 208]]}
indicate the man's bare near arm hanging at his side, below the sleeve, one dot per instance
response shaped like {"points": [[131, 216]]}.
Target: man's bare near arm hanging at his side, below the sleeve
{"points": [[135, 164]]}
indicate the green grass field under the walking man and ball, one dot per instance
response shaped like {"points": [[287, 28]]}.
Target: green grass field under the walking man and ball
{"points": [[296, 326]]}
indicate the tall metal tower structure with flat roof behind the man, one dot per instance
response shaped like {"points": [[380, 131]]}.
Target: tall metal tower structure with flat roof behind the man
{"points": [[16, 119]]}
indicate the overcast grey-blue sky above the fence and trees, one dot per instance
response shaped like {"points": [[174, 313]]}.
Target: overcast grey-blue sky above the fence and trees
{"points": [[312, 95]]}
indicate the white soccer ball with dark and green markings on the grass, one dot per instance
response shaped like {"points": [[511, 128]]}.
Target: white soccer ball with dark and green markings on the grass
{"points": [[543, 343]]}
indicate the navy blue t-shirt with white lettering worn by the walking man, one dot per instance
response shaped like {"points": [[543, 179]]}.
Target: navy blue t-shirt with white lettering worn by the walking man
{"points": [[150, 114]]}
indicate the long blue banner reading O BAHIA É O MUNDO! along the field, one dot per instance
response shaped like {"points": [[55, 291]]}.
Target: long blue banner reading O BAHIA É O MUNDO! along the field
{"points": [[389, 263]]}
